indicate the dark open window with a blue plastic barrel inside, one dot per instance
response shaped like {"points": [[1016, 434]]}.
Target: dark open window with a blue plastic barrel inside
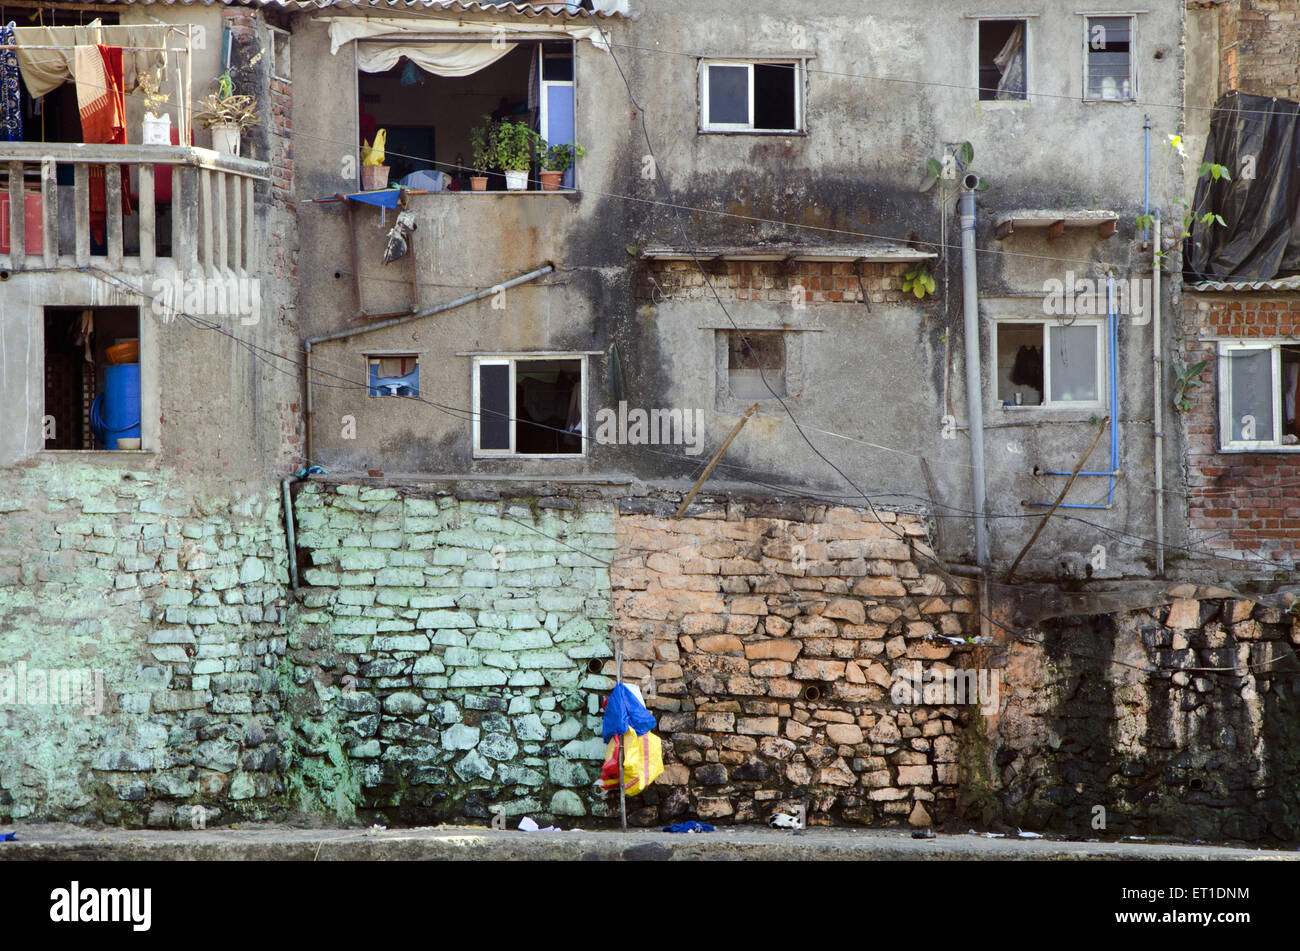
{"points": [[93, 379]]}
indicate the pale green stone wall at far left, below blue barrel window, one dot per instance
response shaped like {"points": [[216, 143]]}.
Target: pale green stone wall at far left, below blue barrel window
{"points": [[155, 609]]}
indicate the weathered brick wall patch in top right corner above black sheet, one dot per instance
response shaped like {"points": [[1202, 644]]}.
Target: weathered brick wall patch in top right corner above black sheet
{"points": [[1260, 47]]}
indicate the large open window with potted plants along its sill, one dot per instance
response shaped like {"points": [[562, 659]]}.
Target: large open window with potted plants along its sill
{"points": [[431, 95]]}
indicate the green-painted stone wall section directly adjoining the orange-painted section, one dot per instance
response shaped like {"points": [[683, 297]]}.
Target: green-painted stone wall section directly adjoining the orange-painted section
{"points": [[443, 653]]}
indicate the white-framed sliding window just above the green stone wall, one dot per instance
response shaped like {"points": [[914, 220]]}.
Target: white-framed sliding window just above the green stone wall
{"points": [[530, 406]]}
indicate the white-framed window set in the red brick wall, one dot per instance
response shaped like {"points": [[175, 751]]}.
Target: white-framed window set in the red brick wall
{"points": [[1258, 397]]}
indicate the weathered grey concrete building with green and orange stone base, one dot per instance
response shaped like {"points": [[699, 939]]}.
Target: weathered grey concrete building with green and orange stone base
{"points": [[899, 258]]}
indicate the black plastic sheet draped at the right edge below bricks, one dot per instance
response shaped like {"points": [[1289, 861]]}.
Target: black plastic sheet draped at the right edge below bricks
{"points": [[1260, 237]]}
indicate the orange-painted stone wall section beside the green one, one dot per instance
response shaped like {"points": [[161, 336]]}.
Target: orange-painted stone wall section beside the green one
{"points": [[730, 618]]}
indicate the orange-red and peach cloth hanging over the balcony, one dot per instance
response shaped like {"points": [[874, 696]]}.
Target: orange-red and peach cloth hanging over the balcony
{"points": [[102, 103]]}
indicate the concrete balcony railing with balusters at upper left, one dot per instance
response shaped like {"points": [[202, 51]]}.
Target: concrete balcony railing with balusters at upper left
{"points": [[193, 207]]}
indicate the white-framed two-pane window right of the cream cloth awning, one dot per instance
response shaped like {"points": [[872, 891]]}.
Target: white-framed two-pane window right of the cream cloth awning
{"points": [[752, 97]]}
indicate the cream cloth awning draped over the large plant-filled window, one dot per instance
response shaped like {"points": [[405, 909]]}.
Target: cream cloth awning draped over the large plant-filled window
{"points": [[440, 47]]}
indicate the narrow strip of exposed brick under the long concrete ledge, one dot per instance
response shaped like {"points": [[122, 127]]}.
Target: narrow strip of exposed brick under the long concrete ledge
{"points": [[834, 281]]}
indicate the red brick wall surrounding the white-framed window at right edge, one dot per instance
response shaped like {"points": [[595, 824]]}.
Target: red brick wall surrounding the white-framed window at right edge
{"points": [[1241, 503]]}
